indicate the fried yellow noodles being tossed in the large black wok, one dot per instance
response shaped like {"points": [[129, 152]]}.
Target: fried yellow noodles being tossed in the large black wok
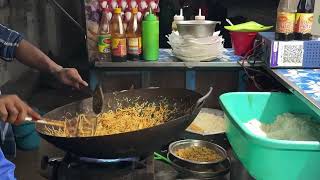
{"points": [[121, 120]]}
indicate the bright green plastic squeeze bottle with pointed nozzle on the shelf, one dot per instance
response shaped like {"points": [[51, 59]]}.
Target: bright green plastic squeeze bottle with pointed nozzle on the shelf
{"points": [[150, 37]]}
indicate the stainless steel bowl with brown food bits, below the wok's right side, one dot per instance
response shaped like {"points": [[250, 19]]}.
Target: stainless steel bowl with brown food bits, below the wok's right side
{"points": [[173, 147]]}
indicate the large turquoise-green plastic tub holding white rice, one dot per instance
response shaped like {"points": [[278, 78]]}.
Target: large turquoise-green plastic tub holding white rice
{"points": [[265, 158]]}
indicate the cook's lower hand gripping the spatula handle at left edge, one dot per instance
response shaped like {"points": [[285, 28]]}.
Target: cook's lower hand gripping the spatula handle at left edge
{"points": [[14, 110]]}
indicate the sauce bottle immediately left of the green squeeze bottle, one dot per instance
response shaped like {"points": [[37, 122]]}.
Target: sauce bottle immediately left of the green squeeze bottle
{"points": [[134, 43]]}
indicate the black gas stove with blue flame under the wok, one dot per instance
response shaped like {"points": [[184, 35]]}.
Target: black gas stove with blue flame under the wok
{"points": [[71, 167]]}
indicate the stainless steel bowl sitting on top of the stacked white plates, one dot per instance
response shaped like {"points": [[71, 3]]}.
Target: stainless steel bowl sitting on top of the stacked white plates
{"points": [[196, 29]]}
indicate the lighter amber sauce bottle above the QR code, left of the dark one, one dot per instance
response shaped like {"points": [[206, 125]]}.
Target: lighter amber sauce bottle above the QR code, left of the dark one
{"points": [[285, 20]]}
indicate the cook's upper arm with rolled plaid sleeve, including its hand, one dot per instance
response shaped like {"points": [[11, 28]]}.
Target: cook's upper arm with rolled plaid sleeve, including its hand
{"points": [[13, 46]]}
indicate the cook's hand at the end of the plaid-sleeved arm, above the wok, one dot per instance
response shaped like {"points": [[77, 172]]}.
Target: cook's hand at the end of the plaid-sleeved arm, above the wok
{"points": [[71, 77]]}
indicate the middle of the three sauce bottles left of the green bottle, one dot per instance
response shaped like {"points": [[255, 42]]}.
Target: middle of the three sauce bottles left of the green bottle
{"points": [[118, 36]]}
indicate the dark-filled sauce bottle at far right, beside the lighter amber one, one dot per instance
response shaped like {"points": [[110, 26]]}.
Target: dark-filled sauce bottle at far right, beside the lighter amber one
{"points": [[304, 20]]}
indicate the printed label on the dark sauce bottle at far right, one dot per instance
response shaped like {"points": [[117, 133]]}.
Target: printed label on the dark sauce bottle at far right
{"points": [[304, 23]]}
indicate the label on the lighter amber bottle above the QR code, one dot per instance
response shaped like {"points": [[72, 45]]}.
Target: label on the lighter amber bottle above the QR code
{"points": [[285, 22]]}
